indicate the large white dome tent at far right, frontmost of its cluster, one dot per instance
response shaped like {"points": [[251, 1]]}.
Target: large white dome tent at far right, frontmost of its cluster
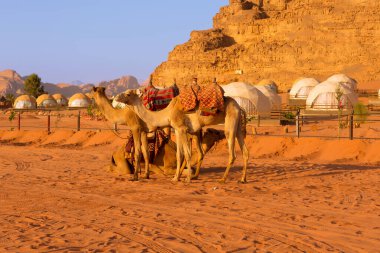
{"points": [[324, 97]]}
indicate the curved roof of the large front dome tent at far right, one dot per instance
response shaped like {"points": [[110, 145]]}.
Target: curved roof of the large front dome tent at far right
{"points": [[330, 87]]}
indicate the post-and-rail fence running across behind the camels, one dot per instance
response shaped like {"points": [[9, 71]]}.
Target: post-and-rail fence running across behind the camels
{"points": [[347, 126]]}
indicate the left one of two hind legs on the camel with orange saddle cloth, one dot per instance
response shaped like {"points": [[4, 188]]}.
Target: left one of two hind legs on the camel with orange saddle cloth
{"points": [[230, 132]]}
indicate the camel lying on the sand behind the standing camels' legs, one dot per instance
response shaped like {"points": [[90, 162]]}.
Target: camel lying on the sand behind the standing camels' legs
{"points": [[165, 162]]}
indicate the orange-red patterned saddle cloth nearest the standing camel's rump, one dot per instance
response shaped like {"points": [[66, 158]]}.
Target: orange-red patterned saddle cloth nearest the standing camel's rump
{"points": [[210, 99]]}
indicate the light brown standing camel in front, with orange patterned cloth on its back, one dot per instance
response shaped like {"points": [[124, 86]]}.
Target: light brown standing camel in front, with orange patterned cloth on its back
{"points": [[192, 123]]}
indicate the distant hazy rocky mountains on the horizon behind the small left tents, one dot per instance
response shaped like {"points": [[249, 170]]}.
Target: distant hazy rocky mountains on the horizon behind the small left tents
{"points": [[12, 82]]}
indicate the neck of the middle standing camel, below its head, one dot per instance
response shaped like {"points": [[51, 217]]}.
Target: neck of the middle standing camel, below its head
{"points": [[153, 119]]}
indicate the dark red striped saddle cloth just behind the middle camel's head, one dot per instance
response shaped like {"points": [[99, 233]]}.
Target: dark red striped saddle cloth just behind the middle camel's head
{"points": [[157, 99]]}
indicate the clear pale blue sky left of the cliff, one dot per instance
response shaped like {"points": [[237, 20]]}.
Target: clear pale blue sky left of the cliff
{"points": [[95, 40]]}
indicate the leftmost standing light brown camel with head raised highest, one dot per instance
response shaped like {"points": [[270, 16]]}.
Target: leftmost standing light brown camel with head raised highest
{"points": [[127, 117]]}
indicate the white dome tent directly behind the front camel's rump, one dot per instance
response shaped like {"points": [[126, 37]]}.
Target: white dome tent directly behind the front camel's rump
{"points": [[252, 100]]}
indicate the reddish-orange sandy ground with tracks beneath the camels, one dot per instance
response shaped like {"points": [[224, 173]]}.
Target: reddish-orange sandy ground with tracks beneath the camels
{"points": [[307, 195]]}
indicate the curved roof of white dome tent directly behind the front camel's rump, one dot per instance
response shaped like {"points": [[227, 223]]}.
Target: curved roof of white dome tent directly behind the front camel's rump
{"points": [[245, 90]]}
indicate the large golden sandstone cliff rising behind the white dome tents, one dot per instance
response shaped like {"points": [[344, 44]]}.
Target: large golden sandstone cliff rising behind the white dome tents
{"points": [[281, 40]]}
